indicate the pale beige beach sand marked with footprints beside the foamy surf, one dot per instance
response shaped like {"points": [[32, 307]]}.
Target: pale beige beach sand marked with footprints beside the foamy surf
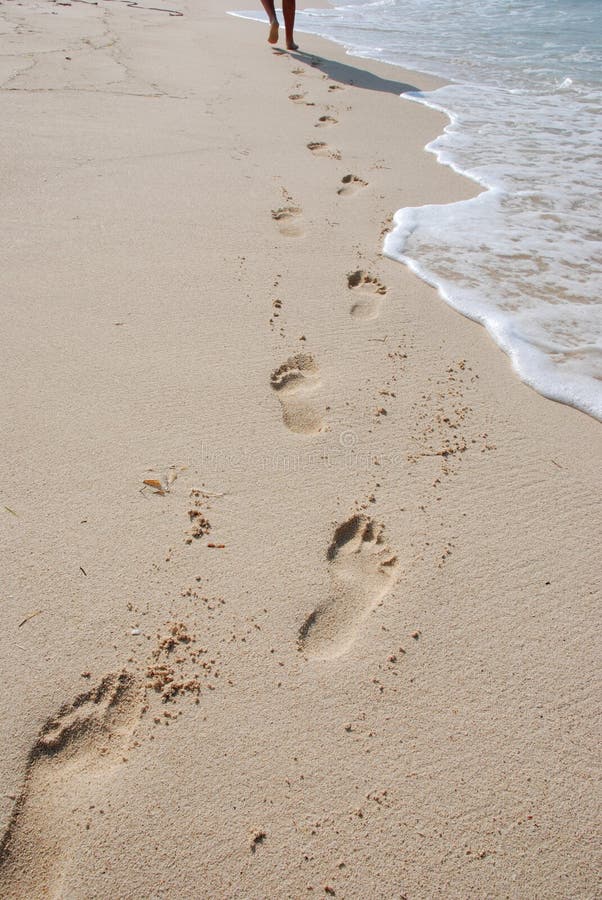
{"points": [[299, 581]]}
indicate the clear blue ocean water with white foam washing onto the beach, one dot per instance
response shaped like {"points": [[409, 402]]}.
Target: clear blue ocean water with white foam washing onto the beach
{"points": [[524, 258]]}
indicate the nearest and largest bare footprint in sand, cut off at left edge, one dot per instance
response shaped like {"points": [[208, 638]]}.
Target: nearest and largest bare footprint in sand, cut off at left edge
{"points": [[86, 739]]}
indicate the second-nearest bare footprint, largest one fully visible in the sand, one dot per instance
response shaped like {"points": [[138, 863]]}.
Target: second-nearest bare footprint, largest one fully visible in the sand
{"points": [[362, 569]]}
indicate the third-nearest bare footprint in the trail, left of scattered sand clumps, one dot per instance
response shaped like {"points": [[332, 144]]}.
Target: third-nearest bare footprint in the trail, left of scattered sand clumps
{"points": [[295, 382]]}
